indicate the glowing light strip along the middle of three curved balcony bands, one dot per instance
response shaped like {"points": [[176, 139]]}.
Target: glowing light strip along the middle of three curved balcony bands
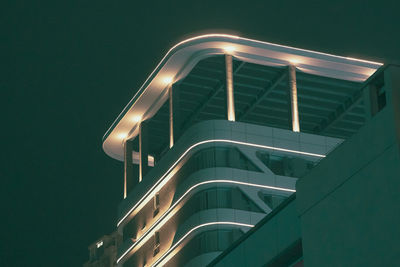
{"points": [[168, 214]]}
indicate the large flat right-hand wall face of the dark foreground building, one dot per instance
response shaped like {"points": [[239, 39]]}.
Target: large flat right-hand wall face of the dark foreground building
{"points": [[349, 205]]}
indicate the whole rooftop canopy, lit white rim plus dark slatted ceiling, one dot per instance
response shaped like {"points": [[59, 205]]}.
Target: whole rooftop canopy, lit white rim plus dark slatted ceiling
{"points": [[328, 90]]}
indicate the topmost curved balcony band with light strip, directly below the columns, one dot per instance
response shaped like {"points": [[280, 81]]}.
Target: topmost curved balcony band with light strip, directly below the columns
{"points": [[243, 135]]}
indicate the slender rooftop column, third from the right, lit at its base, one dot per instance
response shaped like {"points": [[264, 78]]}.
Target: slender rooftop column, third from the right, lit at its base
{"points": [[174, 119]]}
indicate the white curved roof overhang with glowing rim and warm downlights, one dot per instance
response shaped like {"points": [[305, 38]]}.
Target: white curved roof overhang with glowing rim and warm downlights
{"points": [[181, 59]]}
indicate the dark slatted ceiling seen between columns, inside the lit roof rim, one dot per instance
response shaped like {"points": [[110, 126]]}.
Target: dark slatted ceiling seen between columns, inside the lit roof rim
{"points": [[327, 106]]}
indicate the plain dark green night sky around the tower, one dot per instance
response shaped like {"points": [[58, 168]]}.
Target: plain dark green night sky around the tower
{"points": [[69, 67]]}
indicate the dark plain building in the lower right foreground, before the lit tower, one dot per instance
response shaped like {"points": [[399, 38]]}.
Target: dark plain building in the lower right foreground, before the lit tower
{"points": [[345, 211]]}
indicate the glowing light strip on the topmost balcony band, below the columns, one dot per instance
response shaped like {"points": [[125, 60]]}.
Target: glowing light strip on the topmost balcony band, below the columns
{"points": [[161, 182]]}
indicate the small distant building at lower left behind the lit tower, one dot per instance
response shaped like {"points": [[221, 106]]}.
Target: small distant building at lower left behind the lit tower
{"points": [[103, 252]]}
